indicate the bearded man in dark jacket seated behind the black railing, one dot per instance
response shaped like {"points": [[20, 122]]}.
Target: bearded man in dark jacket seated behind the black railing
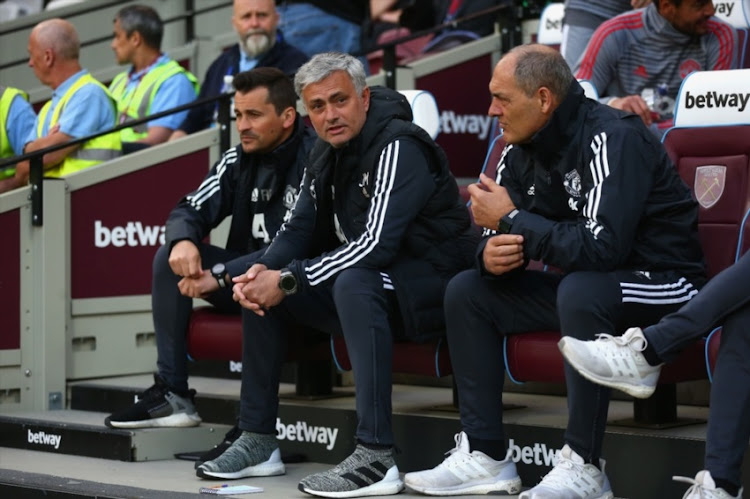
{"points": [[261, 44]]}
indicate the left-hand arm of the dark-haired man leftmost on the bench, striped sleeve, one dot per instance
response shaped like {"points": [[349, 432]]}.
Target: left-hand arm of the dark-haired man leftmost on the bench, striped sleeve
{"points": [[205, 208]]}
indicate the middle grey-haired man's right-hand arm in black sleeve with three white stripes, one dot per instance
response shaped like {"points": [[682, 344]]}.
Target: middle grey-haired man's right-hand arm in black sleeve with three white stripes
{"points": [[402, 185]]}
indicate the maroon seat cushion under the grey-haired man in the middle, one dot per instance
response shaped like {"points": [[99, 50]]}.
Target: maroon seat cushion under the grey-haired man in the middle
{"points": [[426, 359]]}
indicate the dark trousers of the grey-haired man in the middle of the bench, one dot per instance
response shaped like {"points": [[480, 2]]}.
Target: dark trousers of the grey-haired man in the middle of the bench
{"points": [[356, 305]]}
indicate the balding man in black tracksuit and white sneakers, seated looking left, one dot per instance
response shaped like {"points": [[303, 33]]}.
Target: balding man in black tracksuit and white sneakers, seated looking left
{"points": [[589, 190]]}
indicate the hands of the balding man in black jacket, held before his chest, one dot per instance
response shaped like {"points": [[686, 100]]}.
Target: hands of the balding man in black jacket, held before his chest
{"points": [[489, 203]]}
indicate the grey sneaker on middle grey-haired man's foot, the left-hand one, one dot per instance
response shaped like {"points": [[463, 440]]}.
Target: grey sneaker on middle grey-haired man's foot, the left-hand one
{"points": [[252, 454]]}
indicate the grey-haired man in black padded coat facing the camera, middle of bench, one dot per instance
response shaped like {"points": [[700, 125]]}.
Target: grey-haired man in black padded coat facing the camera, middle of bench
{"points": [[377, 232]]}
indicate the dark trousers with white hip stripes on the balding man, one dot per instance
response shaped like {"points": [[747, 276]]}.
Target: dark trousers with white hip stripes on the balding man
{"points": [[480, 310]]}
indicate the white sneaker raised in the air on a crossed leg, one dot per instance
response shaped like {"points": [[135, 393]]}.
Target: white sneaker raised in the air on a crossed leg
{"points": [[614, 361]]}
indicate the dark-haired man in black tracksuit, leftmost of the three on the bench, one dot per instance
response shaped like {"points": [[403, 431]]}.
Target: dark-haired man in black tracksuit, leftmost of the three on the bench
{"points": [[256, 183]]}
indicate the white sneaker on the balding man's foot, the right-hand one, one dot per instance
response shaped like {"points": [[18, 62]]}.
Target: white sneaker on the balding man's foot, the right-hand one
{"points": [[571, 478]]}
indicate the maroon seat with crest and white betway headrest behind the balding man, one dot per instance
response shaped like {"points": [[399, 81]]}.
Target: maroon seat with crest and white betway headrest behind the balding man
{"points": [[710, 143]]}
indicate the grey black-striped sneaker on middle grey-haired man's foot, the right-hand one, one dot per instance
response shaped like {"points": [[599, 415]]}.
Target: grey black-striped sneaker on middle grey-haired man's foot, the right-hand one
{"points": [[367, 472]]}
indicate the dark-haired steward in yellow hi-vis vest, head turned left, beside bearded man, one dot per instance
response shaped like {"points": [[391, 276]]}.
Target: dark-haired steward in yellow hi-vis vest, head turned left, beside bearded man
{"points": [[153, 83]]}
